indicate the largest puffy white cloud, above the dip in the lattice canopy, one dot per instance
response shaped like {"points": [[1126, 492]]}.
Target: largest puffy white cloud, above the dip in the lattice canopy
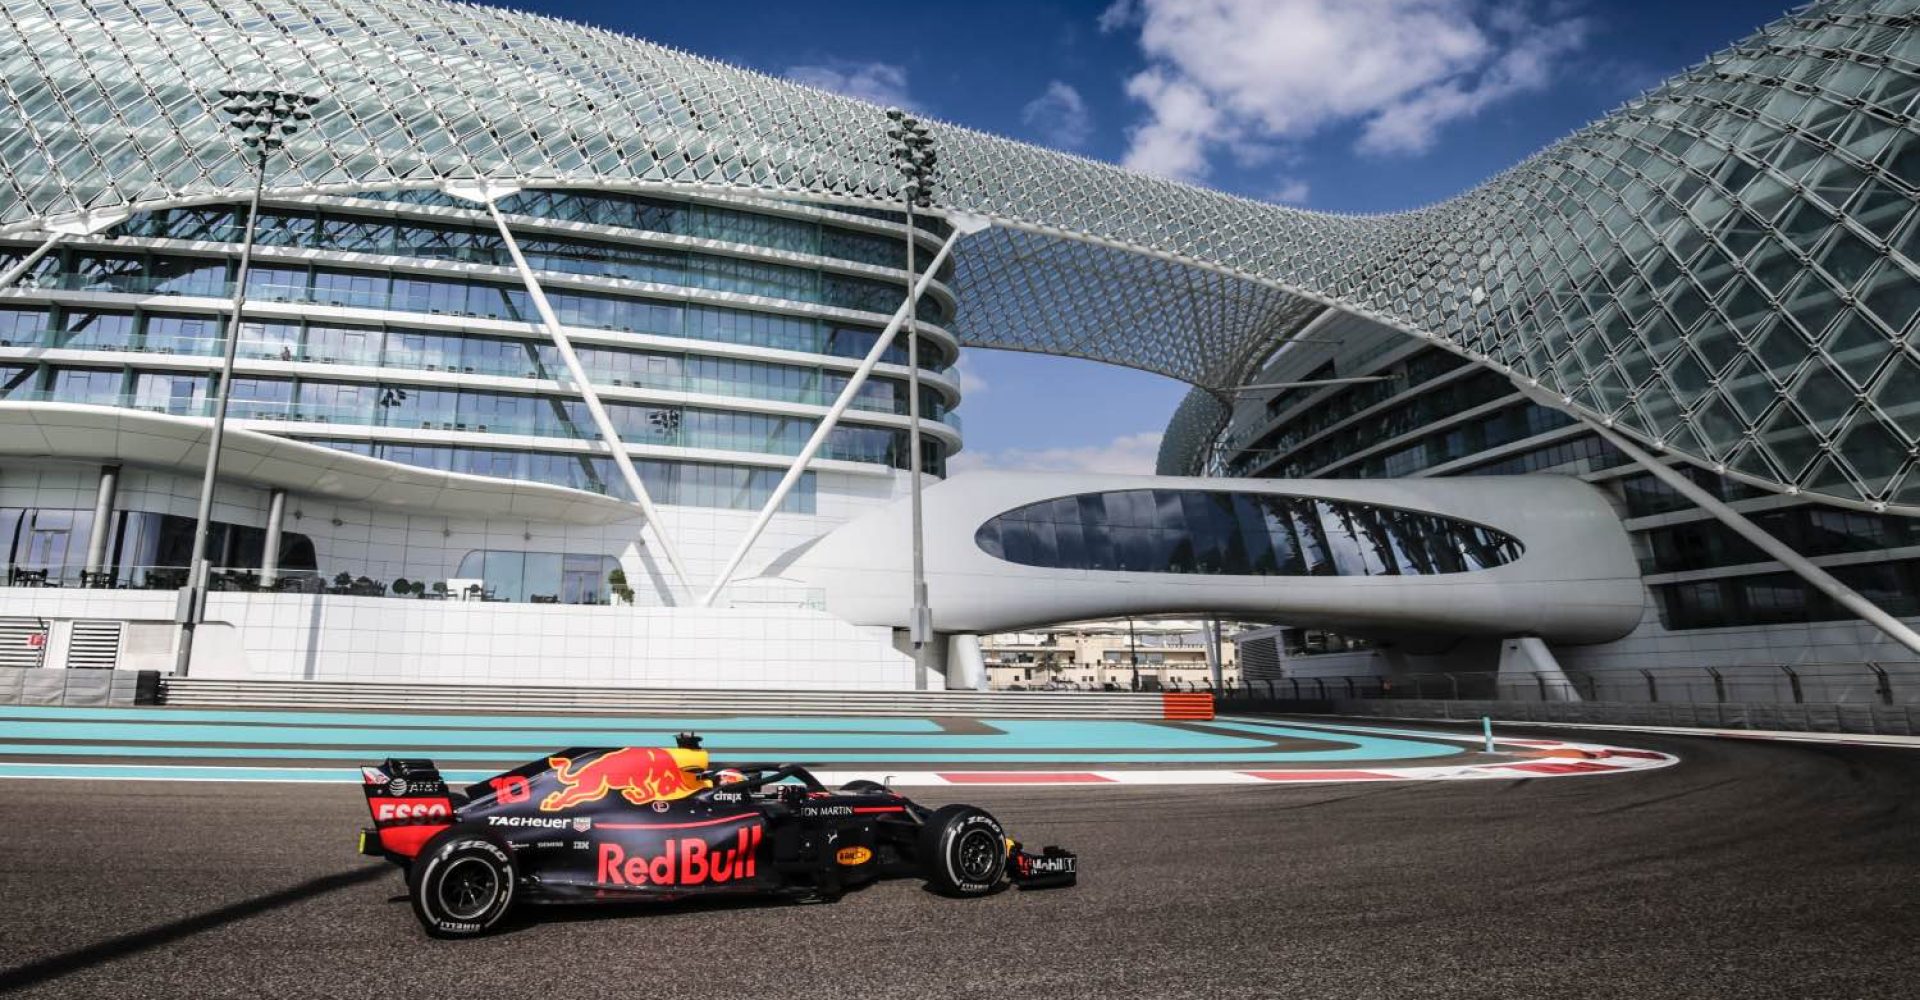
{"points": [[1236, 74]]}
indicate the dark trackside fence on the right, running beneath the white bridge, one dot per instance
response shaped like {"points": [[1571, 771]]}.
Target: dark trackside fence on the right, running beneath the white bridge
{"points": [[1867, 682]]}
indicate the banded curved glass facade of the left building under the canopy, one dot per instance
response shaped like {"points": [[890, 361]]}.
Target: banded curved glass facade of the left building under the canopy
{"points": [[437, 358]]}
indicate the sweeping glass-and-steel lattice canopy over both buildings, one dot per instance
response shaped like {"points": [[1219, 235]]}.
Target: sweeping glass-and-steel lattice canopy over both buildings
{"points": [[1721, 268]]}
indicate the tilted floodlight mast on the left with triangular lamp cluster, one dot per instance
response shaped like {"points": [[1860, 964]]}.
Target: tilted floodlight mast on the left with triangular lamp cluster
{"points": [[264, 120]]}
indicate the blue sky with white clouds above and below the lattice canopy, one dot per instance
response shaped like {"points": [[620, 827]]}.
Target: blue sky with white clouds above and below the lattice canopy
{"points": [[1330, 105]]}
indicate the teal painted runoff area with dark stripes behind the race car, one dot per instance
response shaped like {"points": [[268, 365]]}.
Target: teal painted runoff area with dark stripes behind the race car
{"points": [[43, 742]]}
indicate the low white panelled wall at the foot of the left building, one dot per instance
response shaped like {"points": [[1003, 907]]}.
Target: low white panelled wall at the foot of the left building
{"points": [[452, 642]]}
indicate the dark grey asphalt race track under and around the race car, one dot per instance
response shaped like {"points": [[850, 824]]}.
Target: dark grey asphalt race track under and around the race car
{"points": [[1748, 870]]}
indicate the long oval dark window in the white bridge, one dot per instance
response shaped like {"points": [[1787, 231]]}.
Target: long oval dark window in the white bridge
{"points": [[1239, 535]]}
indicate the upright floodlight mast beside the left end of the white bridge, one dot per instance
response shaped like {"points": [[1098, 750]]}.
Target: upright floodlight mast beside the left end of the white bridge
{"points": [[913, 155]]}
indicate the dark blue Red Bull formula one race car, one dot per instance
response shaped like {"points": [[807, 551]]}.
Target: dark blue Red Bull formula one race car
{"points": [[661, 824]]}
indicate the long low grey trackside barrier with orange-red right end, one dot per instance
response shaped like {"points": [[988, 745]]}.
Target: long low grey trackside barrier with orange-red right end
{"points": [[416, 698]]}
